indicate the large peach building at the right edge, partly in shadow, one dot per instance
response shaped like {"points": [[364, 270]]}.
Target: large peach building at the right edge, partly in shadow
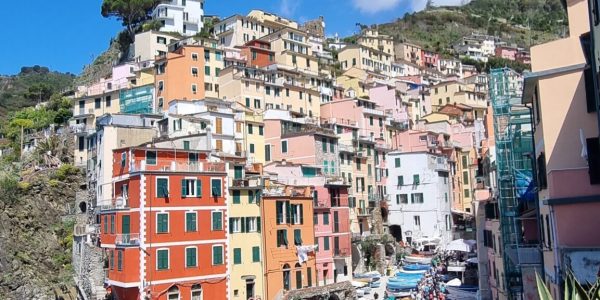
{"points": [[561, 93]]}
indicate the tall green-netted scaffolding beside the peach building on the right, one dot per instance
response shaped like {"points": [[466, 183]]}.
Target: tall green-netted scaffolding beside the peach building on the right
{"points": [[513, 136]]}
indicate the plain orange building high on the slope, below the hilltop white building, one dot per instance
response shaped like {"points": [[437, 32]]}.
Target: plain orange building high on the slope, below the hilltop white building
{"points": [[180, 75]]}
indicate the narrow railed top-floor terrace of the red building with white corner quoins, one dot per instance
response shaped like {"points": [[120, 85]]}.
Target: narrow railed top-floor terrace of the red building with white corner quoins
{"points": [[172, 166]]}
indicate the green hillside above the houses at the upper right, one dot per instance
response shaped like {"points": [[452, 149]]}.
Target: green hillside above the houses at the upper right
{"points": [[523, 22]]}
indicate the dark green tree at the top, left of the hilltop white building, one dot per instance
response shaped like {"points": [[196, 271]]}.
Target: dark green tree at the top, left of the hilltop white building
{"points": [[131, 12]]}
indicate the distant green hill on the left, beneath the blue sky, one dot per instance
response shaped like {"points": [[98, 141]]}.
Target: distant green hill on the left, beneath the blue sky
{"points": [[31, 86]]}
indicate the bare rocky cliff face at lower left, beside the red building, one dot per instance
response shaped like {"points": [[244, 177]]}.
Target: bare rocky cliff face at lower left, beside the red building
{"points": [[36, 236]]}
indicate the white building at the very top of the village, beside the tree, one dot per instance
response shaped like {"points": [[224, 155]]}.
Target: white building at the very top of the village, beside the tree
{"points": [[183, 16]]}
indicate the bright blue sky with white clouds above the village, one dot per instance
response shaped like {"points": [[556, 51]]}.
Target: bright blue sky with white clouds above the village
{"points": [[64, 35]]}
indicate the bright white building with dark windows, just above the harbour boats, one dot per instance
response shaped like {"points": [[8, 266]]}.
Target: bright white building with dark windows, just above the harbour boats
{"points": [[420, 197]]}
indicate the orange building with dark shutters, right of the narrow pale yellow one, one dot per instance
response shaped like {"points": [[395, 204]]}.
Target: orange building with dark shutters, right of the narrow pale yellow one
{"points": [[287, 216]]}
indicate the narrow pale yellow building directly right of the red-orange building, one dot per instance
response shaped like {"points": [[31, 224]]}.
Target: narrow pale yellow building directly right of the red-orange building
{"points": [[244, 232]]}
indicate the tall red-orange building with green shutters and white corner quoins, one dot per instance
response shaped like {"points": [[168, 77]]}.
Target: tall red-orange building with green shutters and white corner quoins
{"points": [[164, 234]]}
